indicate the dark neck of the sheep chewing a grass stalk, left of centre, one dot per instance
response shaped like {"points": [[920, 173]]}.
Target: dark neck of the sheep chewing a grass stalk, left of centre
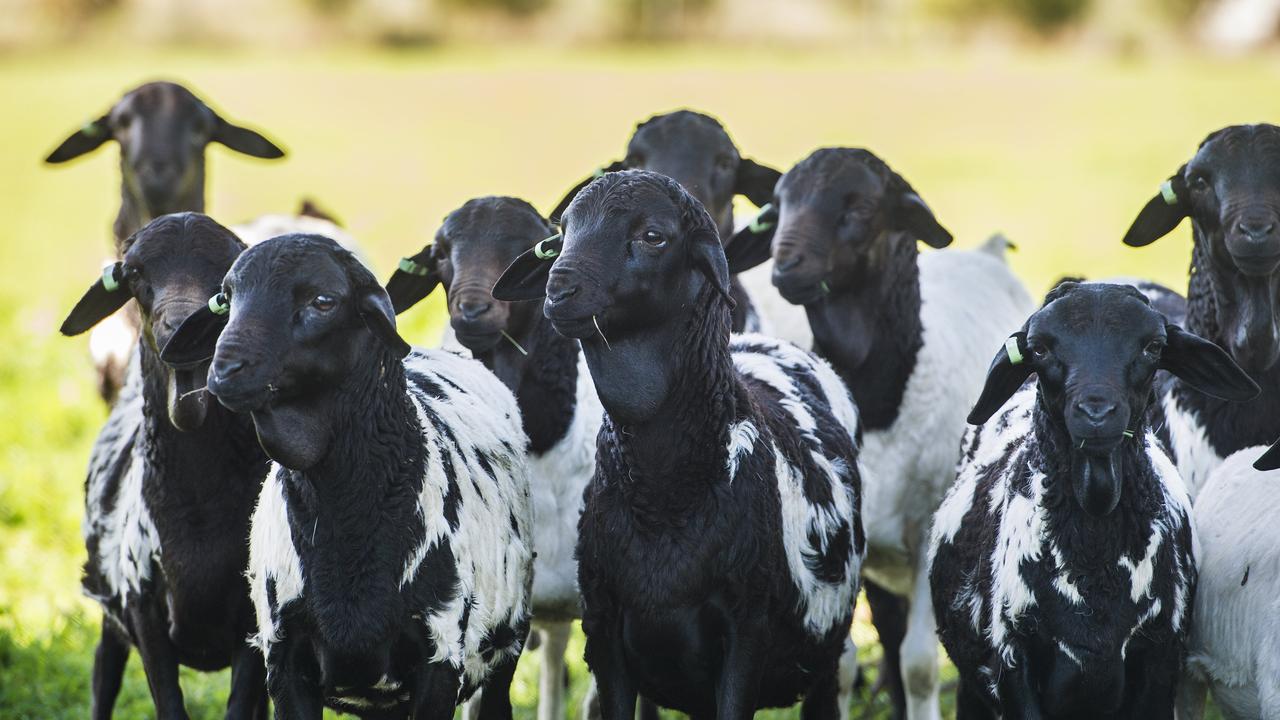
{"points": [[545, 381]]}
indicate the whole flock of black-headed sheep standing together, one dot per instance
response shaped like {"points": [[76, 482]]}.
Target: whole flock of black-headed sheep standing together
{"points": [[1073, 498]]}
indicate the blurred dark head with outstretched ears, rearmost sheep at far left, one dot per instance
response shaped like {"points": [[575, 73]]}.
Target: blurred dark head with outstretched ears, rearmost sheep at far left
{"points": [[163, 131]]}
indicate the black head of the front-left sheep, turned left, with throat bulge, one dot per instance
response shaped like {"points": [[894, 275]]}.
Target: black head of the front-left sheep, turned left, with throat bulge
{"points": [[305, 318]]}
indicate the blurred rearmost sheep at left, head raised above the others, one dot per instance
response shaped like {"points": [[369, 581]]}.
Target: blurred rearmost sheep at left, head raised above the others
{"points": [[163, 130]]}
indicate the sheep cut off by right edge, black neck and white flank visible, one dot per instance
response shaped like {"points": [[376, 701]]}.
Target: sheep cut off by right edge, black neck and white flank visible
{"points": [[1229, 190]]}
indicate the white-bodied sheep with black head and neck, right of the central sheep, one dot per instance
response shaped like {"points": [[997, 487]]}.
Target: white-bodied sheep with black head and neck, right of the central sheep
{"points": [[908, 332]]}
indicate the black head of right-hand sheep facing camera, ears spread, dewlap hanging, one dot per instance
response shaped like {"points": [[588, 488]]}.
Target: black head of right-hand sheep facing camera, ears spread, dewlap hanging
{"points": [[1095, 349]]}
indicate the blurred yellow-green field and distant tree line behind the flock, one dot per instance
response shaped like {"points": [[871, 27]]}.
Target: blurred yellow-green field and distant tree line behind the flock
{"points": [[1050, 121]]}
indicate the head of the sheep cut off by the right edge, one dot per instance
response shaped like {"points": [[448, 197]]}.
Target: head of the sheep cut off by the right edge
{"points": [[1231, 189]]}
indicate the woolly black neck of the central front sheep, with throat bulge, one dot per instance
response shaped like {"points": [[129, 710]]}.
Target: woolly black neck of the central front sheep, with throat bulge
{"points": [[670, 397]]}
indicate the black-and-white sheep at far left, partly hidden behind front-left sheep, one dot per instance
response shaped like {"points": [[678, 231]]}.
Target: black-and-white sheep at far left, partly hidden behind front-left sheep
{"points": [[171, 487]]}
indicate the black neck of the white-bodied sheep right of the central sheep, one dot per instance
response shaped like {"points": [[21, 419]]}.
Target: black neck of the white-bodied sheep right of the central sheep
{"points": [[870, 329]]}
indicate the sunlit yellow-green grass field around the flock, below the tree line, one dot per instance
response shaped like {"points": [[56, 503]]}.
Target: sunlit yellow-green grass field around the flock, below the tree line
{"points": [[1058, 152]]}
